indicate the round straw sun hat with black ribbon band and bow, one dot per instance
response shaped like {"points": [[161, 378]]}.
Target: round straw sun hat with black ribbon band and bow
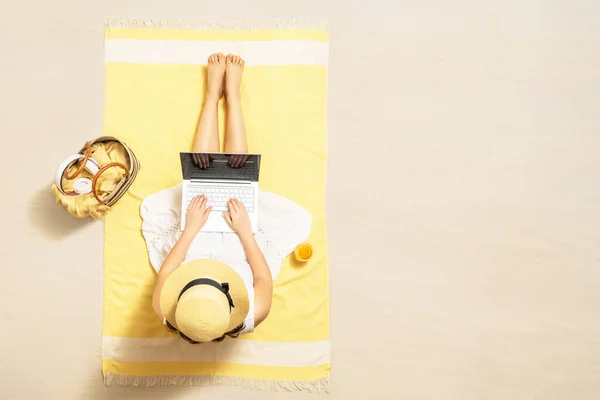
{"points": [[204, 299]]}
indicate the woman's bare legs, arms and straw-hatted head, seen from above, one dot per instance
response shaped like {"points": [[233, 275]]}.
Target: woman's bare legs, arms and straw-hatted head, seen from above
{"points": [[205, 300]]}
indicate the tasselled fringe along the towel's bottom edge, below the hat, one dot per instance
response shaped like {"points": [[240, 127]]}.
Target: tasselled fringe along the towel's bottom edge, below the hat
{"points": [[316, 386]]}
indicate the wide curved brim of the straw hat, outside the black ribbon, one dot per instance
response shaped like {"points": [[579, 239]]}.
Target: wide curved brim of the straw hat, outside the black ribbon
{"points": [[210, 269]]}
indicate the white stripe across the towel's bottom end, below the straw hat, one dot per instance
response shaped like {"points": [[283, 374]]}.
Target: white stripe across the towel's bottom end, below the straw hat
{"points": [[292, 354]]}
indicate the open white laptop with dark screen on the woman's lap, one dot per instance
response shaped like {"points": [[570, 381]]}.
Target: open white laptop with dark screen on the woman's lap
{"points": [[220, 176]]}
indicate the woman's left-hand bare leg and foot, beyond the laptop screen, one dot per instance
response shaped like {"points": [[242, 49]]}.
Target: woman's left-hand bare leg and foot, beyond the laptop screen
{"points": [[207, 134]]}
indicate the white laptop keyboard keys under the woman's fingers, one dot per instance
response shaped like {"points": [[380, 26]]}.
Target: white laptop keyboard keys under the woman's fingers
{"points": [[218, 196]]}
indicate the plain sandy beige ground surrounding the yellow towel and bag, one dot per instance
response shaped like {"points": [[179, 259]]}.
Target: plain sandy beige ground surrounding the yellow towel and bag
{"points": [[463, 199]]}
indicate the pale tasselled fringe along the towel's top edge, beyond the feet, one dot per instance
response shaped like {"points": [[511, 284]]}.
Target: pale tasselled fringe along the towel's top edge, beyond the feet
{"points": [[289, 23]]}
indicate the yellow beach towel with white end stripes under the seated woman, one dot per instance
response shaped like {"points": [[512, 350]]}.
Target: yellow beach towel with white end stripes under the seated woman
{"points": [[154, 80]]}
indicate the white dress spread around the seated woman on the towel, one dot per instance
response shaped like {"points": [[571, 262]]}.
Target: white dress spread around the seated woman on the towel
{"points": [[282, 225]]}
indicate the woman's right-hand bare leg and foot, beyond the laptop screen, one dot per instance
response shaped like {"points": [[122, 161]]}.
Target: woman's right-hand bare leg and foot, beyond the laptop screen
{"points": [[235, 132]]}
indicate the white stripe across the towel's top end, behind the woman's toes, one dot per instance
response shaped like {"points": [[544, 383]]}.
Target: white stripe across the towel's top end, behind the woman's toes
{"points": [[268, 52]]}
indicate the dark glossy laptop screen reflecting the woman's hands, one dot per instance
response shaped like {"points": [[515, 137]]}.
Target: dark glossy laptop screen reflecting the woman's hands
{"points": [[220, 166]]}
